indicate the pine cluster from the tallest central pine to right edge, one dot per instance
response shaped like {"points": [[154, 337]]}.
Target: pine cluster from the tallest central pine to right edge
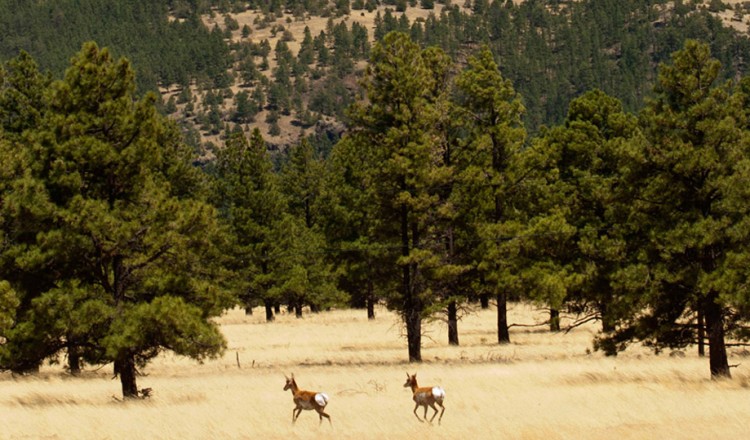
{"points": [[635, 220]]}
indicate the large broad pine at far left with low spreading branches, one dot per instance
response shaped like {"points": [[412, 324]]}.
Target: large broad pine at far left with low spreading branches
{"points": [[131, 258]]}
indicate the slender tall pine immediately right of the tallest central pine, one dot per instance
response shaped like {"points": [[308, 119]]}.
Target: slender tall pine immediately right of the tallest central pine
{"points": [[492, 112]]}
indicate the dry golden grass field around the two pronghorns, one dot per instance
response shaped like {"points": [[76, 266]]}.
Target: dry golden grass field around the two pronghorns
{"points": [[541, 386]]}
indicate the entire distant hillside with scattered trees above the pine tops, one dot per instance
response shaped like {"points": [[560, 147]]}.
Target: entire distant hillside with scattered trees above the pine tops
{"points": [[552, 51]]}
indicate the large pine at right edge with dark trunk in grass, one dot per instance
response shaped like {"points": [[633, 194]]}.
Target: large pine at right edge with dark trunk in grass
{"points": [[687, 206]]}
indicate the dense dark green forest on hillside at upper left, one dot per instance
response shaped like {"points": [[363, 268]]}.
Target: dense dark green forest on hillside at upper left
{"points": [[163, 51]]}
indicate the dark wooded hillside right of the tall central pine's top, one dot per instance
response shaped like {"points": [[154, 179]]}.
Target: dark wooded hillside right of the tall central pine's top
{"points": [[553, 51]]}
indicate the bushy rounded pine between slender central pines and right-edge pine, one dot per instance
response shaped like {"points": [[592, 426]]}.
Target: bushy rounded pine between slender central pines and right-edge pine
{"points": [[581, 242]]}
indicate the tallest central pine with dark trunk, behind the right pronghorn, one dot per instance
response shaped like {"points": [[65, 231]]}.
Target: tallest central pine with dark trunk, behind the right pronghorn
{"points": [[396, 121]]}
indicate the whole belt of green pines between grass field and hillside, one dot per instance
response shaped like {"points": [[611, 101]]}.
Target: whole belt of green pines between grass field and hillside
{"points": [[117, 245]]}
